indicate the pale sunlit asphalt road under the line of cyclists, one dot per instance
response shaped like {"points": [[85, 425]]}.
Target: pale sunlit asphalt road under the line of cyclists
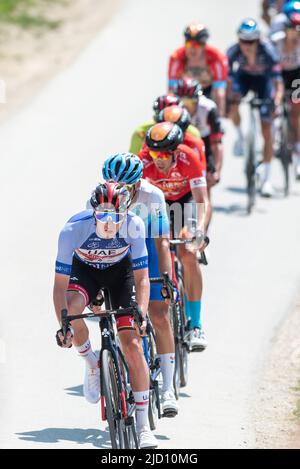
{"points": [[51, 154]]}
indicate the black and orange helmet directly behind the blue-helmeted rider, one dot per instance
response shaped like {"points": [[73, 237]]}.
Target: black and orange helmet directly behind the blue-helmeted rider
{"points": [[164, 136]]}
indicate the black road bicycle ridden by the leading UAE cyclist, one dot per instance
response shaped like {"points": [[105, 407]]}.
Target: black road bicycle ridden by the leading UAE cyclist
{"points": [[117, 400]]}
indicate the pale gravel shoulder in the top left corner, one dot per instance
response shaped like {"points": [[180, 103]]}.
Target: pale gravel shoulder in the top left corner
{"points": [[30, 57]]}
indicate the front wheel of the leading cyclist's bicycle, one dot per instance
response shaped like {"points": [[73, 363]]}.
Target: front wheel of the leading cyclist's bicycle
{"points": [[113, 407]]}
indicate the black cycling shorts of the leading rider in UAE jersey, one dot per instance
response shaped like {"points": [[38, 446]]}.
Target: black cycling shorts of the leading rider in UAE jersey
{"points": [[118, 280]]}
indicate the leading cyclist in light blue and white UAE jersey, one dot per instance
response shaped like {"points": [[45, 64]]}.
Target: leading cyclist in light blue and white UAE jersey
{"points": [[105, 247]]}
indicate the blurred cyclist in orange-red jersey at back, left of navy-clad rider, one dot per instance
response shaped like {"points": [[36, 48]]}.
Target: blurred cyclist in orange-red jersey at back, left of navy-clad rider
{"points": [[199, 60]]}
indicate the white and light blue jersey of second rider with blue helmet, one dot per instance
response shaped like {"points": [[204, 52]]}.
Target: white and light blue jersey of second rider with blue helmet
{"points": [[150, 205]]}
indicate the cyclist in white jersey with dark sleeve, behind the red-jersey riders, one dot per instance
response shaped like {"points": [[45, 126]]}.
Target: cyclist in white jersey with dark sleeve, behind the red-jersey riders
{"points": [[206, 118]]}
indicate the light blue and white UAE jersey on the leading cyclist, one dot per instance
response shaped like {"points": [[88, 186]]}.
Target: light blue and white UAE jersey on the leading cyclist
{"points": [[80, 239]]}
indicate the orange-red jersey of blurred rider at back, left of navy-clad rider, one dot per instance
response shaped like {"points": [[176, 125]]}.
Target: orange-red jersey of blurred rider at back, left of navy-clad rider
{"points": [[216, 67]]}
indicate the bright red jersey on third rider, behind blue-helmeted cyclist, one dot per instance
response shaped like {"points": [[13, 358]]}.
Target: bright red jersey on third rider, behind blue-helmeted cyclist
{"points": [[186, 172]]}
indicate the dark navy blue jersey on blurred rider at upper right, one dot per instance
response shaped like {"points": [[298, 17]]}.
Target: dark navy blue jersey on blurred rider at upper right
{"points": [[266, 64]]}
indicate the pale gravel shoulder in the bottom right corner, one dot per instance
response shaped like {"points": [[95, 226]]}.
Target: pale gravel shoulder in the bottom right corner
{"points": [[277, 409]]}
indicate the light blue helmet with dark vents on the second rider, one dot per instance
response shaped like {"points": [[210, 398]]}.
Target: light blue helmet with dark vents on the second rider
{"points": [[123, 167]]}
